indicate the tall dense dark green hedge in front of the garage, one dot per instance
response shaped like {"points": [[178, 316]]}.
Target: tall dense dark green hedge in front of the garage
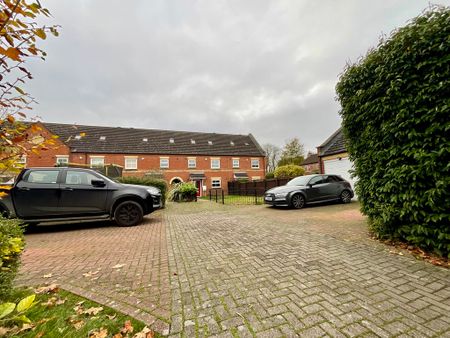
{"points": [[395, 110]]}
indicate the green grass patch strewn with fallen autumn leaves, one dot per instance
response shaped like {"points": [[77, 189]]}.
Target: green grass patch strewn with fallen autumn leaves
{"points": [[63, 314]]}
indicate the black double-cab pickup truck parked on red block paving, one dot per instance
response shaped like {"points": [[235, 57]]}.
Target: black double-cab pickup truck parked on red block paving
{"points": [[71, 194]]}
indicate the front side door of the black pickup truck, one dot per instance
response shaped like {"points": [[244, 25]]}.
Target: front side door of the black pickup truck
{"points": [[79, 197]]}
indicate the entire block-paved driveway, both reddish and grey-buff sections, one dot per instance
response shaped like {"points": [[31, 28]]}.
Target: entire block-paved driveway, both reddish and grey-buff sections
{"points": [[203, 269]]}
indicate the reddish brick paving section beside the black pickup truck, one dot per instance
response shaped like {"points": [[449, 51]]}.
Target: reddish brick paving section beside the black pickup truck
{"points": [[124, 268]]}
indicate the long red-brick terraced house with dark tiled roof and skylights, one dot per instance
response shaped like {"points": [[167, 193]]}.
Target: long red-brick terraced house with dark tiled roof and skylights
{"points": [[209, 160]]}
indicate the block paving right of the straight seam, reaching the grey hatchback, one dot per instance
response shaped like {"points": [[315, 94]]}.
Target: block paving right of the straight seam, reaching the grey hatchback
{"points": [[258, 272]]}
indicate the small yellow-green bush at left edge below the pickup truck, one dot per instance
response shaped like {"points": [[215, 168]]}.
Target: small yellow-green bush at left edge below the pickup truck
{"points": [[11, 245]]}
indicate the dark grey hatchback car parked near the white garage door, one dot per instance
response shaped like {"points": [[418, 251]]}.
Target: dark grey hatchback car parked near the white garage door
{"points": [[310, 189]]}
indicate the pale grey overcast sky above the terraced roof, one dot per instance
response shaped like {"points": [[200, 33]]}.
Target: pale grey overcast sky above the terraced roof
{"points": [[241, 66]]}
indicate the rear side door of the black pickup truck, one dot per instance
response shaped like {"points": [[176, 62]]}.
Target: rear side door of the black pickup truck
{"points": [[37, 193]]}
